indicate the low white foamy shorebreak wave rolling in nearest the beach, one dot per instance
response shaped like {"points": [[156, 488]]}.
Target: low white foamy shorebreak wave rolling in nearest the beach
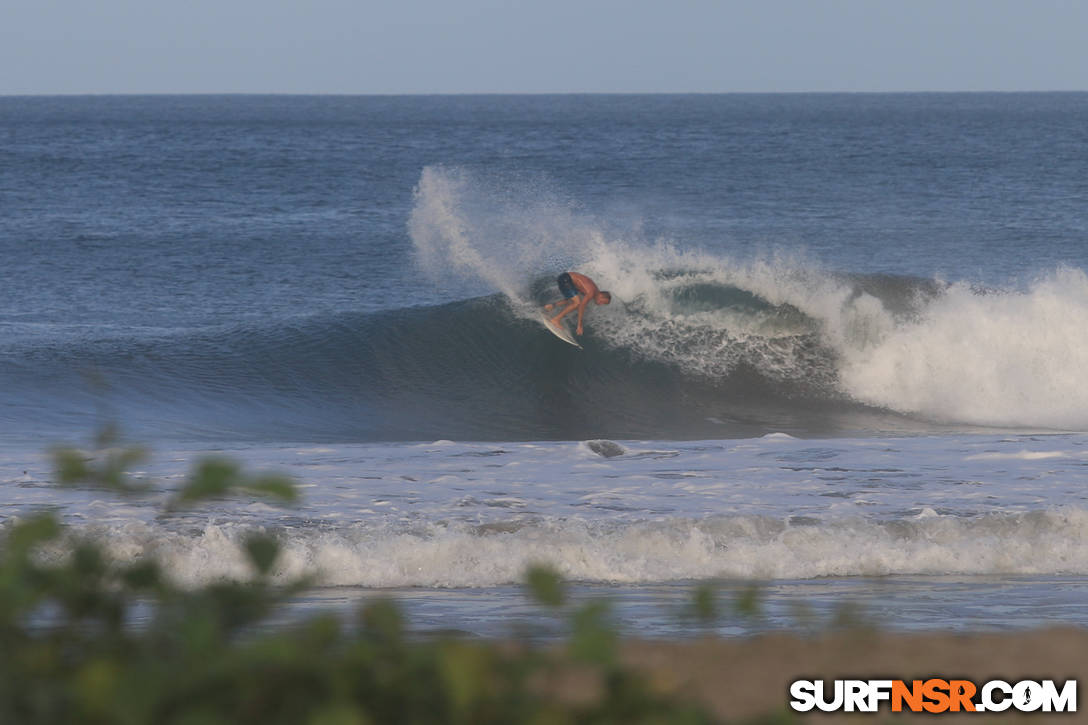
{"points": [[436, 555]]}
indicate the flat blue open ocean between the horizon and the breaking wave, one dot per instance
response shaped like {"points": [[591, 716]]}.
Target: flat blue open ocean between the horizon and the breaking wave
{"points": [[182, 212]]}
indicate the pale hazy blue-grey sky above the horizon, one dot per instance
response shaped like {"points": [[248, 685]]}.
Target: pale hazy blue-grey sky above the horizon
{"points": [[541, 46]]}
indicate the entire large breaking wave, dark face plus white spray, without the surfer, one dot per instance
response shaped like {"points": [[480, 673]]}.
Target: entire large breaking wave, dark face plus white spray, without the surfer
{"points": [[696, 346]]}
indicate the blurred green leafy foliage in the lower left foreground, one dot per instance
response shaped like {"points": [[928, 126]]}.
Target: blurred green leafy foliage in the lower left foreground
{"points": [[88, 641]]}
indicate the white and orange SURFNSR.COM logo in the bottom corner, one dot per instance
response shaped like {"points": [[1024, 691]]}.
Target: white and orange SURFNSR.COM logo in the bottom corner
{"points": [[933, 696]]}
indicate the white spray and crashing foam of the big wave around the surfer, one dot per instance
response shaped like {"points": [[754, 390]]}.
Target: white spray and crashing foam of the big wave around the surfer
{"points": [[939, 351]]}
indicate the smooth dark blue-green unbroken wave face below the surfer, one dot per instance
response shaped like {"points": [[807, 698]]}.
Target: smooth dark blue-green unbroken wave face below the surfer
{"points": [[467, 371]]}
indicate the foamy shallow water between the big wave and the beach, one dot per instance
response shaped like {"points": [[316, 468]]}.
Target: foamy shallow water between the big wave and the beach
{"points": [[814, 522]]}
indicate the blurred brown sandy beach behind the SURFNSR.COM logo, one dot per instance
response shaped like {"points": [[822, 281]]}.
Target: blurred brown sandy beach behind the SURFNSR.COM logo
{"points": [[750, 678]]}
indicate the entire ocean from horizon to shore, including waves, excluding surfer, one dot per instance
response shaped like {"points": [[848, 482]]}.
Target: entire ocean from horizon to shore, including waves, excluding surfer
{"points": [[846, 357]]}
